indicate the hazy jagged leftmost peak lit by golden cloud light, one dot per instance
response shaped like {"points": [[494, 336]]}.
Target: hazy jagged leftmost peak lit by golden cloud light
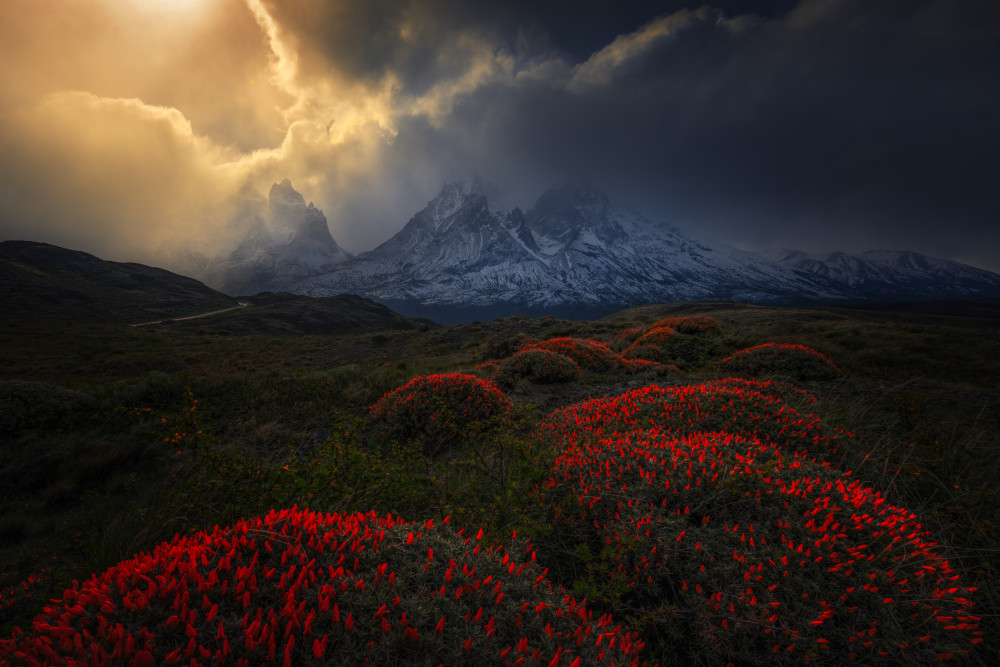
{"points": [[282, 244]]}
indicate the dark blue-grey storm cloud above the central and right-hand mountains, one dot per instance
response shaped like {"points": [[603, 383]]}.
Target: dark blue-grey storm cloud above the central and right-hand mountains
{"points": [[838, 124]]}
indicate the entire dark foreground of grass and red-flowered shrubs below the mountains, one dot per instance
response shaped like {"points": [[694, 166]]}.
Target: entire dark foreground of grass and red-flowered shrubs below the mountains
{"points": [[120, 440]]}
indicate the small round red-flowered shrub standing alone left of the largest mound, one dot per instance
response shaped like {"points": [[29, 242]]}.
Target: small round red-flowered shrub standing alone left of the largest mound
{"points": [[440, 411]]}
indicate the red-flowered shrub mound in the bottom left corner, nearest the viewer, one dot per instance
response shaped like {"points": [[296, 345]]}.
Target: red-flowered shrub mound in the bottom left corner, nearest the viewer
{"points": [[300, 588]]}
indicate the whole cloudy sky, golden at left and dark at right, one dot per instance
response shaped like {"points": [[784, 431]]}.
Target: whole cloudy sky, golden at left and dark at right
{"points": [[136, 129]]}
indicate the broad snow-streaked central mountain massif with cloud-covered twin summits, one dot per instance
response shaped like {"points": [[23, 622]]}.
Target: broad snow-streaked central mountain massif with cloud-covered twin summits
{"points": [[573, 249]]}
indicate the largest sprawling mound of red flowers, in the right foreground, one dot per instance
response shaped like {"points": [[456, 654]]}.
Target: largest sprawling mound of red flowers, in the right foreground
{"points": [[718, 504]]}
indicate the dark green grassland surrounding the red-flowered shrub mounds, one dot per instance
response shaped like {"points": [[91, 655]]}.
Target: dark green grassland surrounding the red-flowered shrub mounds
{"points": [[282, 422]]}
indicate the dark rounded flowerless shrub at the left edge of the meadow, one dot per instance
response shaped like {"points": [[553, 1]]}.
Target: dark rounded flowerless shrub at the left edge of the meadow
{"points": [[26, 405]]}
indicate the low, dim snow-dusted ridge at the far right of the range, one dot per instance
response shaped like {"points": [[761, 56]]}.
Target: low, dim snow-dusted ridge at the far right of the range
{"points": [[893, 274]]}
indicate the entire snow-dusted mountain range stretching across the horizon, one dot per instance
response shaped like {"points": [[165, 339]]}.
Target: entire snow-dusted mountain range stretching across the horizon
{"points": [[574, 253]]}
